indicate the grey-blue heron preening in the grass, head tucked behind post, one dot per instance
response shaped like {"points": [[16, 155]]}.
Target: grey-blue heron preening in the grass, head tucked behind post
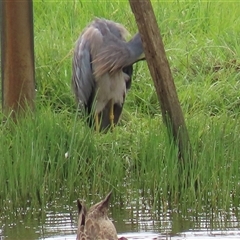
{"points": [[102, 69]]}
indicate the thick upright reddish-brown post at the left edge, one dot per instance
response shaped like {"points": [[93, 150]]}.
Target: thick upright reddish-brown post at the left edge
{"points": [[17, 56]]}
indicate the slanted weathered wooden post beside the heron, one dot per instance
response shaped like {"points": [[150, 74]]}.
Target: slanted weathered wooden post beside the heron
{"points": [[161, 73]]}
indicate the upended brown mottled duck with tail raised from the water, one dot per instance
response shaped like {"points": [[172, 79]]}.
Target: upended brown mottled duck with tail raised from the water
{"points": [[94, 224]]}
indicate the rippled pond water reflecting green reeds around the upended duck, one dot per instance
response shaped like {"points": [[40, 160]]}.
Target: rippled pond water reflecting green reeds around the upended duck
{"points": [[134, 220]]}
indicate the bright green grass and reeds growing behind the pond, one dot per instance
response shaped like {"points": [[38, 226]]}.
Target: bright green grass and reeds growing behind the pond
{"points": [[53, 153]]}
